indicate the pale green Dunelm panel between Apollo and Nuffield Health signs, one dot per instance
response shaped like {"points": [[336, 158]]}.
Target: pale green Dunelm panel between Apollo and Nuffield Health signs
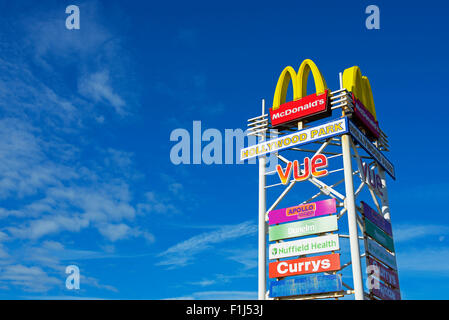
{"points": [[303, 228]]}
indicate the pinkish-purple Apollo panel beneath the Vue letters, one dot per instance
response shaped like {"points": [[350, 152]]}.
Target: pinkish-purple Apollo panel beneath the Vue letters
{"points": [[303, 211]]}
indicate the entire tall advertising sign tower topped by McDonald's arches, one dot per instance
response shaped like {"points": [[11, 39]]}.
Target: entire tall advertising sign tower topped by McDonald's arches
{"points": [[304, 259]]}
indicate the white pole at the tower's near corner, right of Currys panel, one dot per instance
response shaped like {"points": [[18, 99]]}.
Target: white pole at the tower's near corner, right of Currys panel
{"points": [[351, 212]]}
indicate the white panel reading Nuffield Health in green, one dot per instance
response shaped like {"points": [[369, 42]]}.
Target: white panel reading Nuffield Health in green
{"points": [[304, 246]]}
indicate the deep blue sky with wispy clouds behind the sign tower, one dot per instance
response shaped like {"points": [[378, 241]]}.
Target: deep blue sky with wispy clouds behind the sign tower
{"points": [[86, 116]]}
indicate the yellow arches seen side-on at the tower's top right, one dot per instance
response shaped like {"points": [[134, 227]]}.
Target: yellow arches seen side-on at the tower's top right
{"points": [[359, 85]]}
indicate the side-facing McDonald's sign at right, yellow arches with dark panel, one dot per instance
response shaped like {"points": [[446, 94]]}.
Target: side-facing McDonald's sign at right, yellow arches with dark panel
{"points": [[364, 109]]}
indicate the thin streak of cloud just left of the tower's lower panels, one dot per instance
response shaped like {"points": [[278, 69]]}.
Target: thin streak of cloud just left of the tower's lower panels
{"points": [[184, 252]]}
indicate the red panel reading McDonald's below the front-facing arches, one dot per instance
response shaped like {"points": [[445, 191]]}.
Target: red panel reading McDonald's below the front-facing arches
{"points": [[312, 106]]}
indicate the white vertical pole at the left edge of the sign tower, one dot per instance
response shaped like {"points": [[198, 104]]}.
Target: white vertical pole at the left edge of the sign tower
{"points": [[262, 223]]}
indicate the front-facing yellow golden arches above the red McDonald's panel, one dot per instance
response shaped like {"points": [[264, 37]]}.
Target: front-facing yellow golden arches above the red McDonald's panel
{"points": [[299, 82]]}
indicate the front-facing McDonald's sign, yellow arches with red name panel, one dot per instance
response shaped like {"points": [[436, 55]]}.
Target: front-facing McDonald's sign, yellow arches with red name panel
{"points": [[303, 106]]}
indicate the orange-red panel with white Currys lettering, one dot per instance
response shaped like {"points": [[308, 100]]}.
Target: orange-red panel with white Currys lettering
{"points": [[329, 262]]}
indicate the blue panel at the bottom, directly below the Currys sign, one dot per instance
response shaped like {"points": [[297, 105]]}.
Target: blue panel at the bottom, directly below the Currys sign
{"points": [[307, 284]]}
